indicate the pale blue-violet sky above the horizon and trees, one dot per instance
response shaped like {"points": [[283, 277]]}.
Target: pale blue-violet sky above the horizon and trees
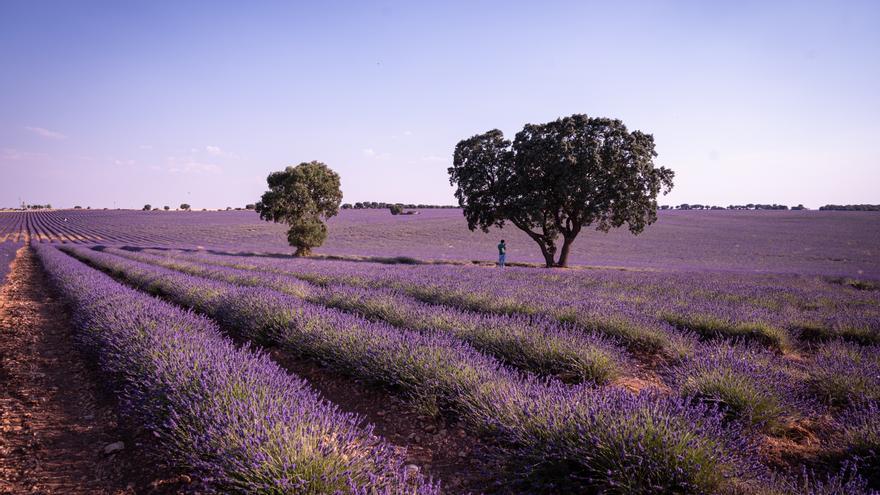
{"points": [[126, 103]]}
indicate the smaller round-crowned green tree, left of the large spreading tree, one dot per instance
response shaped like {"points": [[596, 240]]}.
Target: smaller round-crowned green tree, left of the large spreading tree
{"points": [[302, 197]]}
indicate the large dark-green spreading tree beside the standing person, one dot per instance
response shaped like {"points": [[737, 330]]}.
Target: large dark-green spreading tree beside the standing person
{"points": [[556, 178]]}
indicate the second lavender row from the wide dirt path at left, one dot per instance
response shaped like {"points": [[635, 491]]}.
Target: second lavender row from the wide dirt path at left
{"points": [[606, 437]]}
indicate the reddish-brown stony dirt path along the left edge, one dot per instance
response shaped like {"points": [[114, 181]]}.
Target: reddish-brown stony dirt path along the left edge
{"points": [[57, 424]]}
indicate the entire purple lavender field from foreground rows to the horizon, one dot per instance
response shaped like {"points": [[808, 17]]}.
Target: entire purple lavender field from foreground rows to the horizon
{"points": [[720, 352]]}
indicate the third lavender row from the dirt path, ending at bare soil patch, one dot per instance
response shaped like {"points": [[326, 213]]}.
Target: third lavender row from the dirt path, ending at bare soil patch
{"points": [[538, 345]]}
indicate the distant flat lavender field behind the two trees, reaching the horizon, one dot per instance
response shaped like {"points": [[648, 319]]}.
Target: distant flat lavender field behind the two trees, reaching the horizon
{"points": [[835, 243]]}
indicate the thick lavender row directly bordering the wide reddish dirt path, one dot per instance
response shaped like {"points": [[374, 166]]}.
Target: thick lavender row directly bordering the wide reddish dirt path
{"points": [[228, 414]]}
